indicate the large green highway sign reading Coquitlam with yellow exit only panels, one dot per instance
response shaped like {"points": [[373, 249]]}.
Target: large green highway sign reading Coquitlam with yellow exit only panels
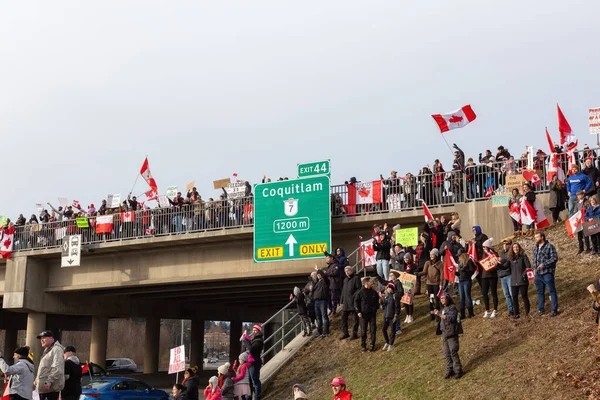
{"points": [[292, 219]]}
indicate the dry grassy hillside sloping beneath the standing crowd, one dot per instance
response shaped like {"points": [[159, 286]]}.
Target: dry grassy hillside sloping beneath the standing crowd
{"points": [[531, 358]]}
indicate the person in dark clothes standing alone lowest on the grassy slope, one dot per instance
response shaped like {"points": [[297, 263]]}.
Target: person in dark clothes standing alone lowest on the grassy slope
{"points": [[450, 327]]}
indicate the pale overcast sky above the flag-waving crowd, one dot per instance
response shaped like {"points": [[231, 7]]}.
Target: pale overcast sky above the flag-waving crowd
{"points": [[209, 88]]}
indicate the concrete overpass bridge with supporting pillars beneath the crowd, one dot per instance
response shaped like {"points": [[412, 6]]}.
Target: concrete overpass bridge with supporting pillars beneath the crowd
{"points": [[204, 275]]}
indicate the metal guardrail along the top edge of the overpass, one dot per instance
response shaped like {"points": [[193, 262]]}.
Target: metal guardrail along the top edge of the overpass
{"points": [[435, 188]]}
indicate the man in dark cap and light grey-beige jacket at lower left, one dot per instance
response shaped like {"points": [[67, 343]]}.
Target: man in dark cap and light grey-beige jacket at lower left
{"points": [[50, 378]]}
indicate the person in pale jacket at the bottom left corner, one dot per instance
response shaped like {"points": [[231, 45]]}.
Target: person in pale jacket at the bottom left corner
{"points": [[20, 374]]}
